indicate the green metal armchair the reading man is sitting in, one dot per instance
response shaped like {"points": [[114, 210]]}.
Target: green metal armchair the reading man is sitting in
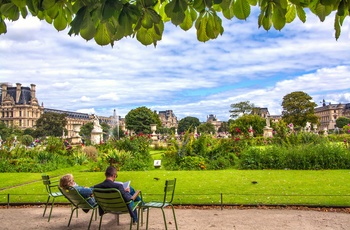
{"points": [[110, 200]]}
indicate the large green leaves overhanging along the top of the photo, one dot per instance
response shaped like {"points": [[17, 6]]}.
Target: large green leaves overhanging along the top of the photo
{"points": [[109, 21]]}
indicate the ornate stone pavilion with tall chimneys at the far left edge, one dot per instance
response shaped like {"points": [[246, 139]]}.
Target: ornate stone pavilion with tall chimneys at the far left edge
{"points": [[19, 106]]}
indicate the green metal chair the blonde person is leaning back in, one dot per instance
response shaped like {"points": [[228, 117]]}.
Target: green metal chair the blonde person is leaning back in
{"points": [[78, 201]]}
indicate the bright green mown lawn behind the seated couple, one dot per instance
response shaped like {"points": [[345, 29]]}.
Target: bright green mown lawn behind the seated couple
{"points": [[253, 187]]}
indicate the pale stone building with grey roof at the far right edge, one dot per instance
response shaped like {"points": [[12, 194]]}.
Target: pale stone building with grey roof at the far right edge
{"points": [[328, 114]]}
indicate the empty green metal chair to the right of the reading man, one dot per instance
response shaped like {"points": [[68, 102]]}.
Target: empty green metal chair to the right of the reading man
{"points": [[169, 191]]}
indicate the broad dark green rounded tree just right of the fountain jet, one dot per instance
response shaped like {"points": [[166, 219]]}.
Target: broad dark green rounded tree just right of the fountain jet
{"points": [[140, 119]]}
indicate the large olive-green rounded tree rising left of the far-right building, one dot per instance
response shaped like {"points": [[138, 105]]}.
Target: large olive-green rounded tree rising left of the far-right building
{"points": [[298, 108]]}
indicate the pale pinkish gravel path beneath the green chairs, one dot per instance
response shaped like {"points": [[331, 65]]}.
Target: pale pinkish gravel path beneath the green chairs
{"points": [[188, 219]]}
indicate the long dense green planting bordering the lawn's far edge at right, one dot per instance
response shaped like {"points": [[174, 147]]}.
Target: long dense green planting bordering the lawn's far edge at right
{"points": [[306, 156]]}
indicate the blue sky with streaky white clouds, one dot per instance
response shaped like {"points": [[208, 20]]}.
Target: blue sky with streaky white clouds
{"points": [[180, 74]]}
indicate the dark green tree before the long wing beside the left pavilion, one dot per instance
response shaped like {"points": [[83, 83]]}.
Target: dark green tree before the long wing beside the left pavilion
{"points": [[51, 124]]}
